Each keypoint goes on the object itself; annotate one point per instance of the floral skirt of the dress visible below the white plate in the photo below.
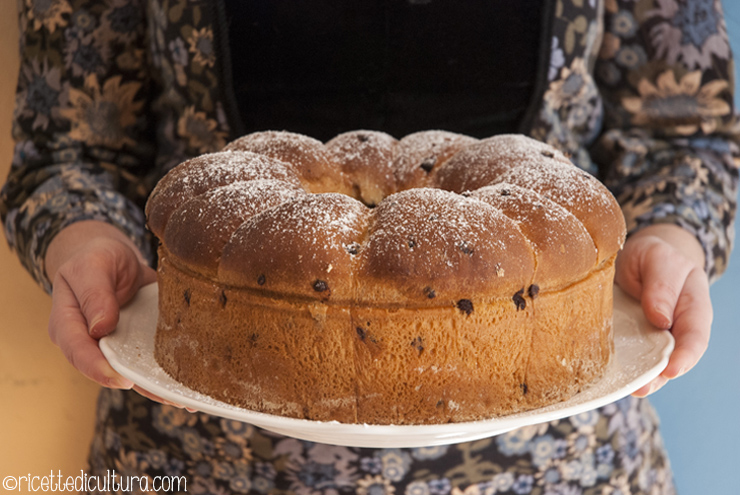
(616, 450)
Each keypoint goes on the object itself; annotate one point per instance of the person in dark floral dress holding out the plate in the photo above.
(112, 94)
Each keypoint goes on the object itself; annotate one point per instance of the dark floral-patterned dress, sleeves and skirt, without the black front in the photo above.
(113, 93)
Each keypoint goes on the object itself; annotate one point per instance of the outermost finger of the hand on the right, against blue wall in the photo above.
(693, 324)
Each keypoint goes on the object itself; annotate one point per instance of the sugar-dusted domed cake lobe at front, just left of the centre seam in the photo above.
(301, 248)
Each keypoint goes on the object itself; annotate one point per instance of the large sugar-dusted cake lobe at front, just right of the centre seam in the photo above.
(425, 242)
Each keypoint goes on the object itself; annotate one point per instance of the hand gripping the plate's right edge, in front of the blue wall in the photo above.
(662, 266)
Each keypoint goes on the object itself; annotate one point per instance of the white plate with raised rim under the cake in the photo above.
(642, 352)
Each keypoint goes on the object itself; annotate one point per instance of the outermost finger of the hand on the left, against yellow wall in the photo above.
(68, 330)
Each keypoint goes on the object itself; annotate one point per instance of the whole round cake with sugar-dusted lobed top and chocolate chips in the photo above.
(436, 278)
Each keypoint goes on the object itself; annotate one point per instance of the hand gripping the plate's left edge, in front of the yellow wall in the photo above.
(96, 269)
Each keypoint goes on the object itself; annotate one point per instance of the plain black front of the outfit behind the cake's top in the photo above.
(325, 67)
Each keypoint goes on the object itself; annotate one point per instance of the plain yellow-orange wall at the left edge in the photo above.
(46, 407)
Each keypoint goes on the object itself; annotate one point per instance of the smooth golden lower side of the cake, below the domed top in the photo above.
(383, 365)
